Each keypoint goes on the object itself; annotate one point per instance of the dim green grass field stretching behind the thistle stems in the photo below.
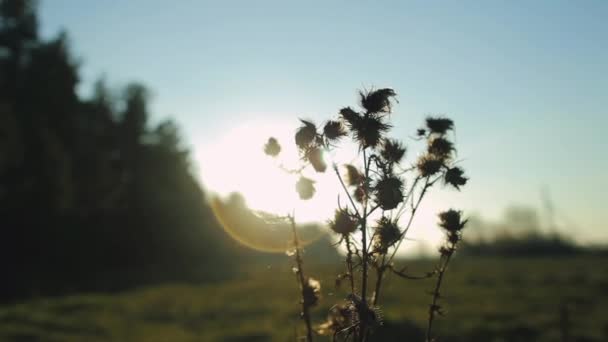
(486, 300)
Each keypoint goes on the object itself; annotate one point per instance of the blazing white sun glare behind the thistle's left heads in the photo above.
(237, 163)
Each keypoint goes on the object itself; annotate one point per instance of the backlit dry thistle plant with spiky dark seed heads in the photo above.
(383, 194)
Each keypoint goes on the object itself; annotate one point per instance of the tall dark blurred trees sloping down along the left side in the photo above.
(91, 196)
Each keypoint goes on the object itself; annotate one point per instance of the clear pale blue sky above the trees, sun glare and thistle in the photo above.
(526, 82)
